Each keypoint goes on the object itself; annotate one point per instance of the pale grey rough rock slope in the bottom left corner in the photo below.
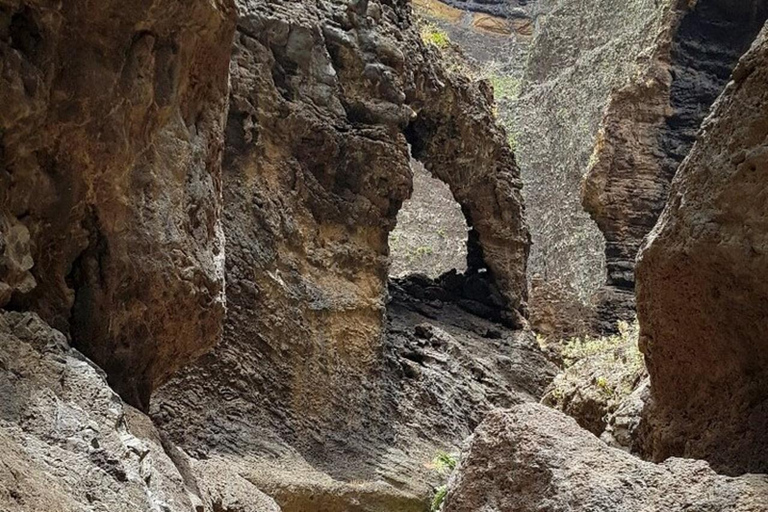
(70, 444)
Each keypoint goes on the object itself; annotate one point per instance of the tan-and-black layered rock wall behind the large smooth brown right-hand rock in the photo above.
(650, 125)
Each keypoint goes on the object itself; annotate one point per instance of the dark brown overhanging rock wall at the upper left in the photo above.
(110, 141)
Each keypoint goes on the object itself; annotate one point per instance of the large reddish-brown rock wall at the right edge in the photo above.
(702, 297)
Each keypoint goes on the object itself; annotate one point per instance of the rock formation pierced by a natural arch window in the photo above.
(310, 374)
